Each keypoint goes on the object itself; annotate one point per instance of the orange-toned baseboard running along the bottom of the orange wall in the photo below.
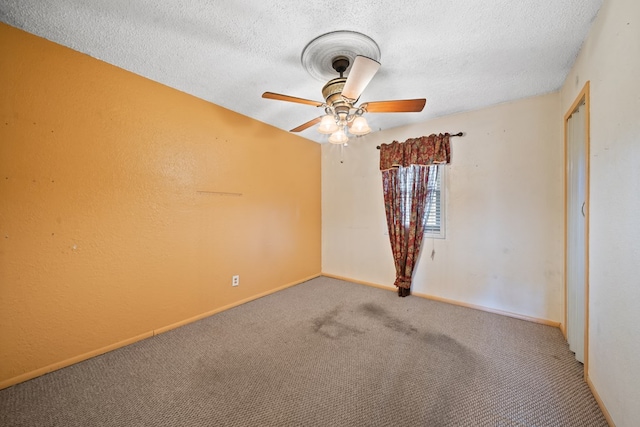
(73, 360)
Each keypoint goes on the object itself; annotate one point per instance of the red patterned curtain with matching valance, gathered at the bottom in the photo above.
(405, 174)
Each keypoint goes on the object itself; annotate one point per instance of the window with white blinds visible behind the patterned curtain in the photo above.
(434, 212)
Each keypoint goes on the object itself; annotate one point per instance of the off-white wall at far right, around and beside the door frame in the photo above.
(610, 61)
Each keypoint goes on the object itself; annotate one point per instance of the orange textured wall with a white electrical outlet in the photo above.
(106, 230)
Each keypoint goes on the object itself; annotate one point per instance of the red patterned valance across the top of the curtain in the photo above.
(426, 150)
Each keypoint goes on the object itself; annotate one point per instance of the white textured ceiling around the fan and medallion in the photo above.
(459, 54)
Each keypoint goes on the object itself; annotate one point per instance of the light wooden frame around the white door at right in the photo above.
(583, 96)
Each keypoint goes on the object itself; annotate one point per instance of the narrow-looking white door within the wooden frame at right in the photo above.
(576, 231)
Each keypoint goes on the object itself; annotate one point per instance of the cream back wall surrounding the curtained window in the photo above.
(503, 248)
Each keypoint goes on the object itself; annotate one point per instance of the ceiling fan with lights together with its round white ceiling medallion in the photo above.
(359, 55)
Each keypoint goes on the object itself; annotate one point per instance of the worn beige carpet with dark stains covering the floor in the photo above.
(323, 353)
